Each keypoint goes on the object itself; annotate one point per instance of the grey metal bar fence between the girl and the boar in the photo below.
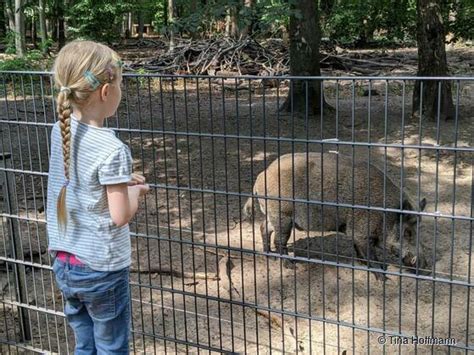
(202, 277)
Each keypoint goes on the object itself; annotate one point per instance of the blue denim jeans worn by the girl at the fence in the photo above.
(97, 307)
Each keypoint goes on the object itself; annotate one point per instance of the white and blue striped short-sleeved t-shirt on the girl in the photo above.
(97, 158)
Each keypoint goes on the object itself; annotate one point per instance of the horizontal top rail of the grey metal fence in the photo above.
(253, 77)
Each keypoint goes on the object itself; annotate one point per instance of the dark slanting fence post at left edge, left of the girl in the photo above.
(15, 248)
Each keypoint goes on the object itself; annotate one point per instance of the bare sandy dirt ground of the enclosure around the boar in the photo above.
(199, 143)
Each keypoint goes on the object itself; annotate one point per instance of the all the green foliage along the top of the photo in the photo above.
(347, 22)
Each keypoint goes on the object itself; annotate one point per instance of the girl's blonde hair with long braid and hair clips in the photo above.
(80, 68)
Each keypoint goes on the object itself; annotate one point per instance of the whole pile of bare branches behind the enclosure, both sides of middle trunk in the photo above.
(228, 56)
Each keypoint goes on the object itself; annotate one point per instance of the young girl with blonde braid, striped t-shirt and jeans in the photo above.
(92, 195)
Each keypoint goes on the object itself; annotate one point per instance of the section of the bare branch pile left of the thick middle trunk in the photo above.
(219, 56)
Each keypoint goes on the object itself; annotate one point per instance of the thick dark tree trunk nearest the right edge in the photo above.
(432, 61)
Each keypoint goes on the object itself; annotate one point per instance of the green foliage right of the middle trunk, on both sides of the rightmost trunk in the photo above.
(389, 21)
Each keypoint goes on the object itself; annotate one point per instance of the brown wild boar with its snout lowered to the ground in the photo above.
(333, 178)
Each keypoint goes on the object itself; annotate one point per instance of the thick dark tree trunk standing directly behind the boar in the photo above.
(305, 37)
